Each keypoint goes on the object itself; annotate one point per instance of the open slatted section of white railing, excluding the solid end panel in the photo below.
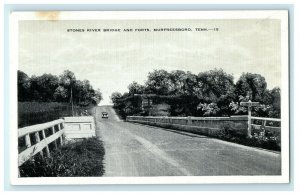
(41, 138)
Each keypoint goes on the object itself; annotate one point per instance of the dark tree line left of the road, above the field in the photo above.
(62, 88)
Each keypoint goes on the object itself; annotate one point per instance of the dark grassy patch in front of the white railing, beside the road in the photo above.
(75, 159)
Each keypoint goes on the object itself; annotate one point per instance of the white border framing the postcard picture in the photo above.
(15, 17)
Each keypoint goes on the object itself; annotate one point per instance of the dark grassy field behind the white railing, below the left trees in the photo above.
(31, 113)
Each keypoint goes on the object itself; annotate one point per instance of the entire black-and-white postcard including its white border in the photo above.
(129, 97)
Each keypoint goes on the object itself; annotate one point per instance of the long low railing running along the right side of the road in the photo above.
(212, 125)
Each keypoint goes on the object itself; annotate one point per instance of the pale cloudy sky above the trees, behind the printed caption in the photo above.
(113, 60)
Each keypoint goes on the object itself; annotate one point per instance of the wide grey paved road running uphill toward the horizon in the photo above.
(139, 150)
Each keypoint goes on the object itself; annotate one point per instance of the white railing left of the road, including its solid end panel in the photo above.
(43, 138)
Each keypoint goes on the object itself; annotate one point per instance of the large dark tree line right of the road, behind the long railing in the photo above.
(210, 93)
